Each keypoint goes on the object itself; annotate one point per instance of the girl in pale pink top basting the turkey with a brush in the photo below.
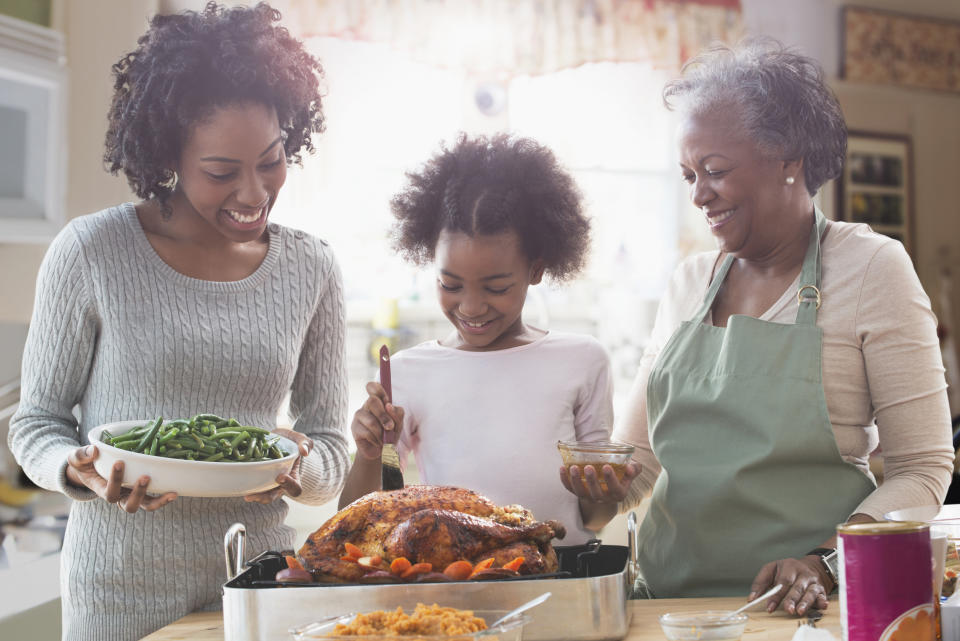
(483, 407)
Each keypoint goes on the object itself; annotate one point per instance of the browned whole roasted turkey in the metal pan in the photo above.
(429, 524)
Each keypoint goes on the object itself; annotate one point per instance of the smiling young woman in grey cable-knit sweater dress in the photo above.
(187, 301)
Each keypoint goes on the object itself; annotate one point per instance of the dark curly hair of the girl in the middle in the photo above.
(490, 185)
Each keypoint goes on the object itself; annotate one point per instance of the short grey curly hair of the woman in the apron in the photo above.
(784, 104)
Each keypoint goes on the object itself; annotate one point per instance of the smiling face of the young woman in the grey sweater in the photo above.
(231, 169)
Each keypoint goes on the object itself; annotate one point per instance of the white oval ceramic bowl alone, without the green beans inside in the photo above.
(189, 478)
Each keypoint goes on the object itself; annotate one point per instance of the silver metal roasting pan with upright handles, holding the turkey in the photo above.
(589, 601)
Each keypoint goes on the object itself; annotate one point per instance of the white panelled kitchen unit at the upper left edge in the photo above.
(32, 88)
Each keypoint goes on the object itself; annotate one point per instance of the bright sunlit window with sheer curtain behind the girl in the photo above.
(389, 104)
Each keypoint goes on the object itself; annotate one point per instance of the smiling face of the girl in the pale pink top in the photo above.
(482, 284)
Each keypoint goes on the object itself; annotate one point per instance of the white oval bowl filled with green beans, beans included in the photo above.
(205, 455)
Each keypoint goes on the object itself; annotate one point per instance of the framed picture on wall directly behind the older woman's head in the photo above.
(876, 187)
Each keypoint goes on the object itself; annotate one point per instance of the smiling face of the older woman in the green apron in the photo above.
(739, 190)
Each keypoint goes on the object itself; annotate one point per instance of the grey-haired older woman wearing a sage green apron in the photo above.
(781, 360)
